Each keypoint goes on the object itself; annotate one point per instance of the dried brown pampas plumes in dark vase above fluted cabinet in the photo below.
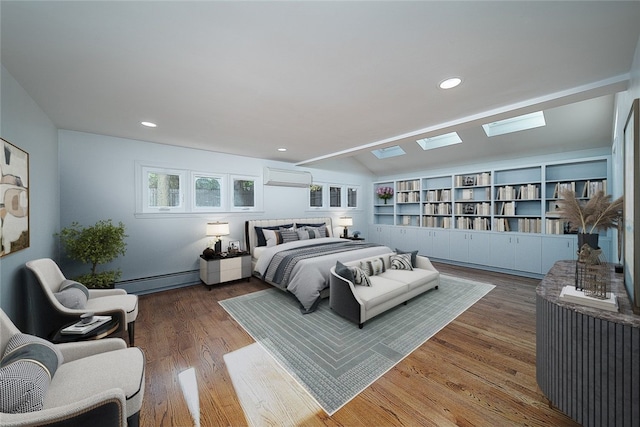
(599, 213)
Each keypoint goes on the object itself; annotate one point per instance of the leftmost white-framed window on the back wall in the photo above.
(163, 190)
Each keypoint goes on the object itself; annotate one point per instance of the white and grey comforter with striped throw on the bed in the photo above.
(302, 267)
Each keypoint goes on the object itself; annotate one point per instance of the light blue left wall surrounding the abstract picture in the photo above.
(25, 125)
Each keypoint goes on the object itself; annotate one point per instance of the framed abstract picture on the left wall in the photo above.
(14, 199)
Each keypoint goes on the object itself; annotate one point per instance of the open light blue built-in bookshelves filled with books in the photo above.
(523, 199)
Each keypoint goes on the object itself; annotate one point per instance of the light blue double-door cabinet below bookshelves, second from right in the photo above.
(516, 252)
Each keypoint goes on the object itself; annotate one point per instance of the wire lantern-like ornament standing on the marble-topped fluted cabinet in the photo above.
(592, 273)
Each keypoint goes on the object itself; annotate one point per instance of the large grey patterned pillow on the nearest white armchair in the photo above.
(26, 369)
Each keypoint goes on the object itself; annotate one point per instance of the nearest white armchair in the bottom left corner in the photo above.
(97, 383)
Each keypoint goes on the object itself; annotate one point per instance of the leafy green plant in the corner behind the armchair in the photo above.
(97, 244)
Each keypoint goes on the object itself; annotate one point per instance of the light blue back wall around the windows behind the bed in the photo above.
(97, 182)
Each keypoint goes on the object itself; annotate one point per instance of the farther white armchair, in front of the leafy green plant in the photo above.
(100, 301)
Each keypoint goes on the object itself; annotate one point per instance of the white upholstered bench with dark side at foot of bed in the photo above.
(360, 303)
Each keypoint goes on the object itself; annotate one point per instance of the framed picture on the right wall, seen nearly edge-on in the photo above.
(631, 198)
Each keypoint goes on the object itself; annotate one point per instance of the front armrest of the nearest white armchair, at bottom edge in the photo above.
(104, 409)
